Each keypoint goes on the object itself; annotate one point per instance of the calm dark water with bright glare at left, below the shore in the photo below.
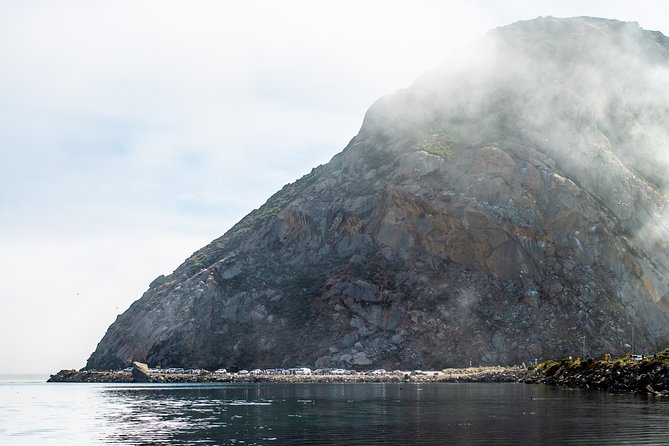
(35, 413)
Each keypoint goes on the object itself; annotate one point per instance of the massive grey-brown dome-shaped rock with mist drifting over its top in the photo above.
(505, 207)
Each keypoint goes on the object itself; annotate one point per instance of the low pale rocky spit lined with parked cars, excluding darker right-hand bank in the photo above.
(462, 375)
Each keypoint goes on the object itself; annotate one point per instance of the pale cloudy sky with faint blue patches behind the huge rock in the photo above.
(132, 133)
